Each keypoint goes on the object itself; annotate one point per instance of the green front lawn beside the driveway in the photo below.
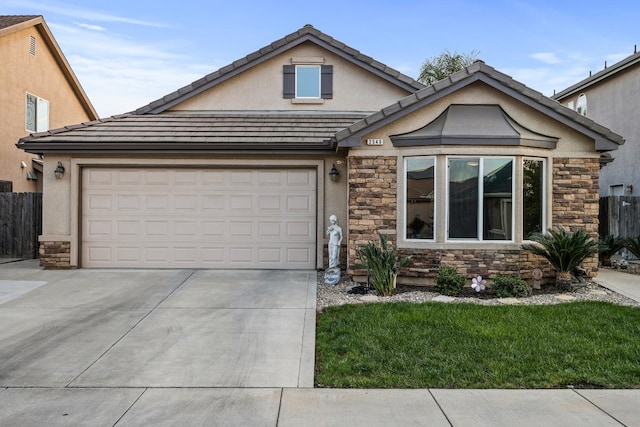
(437, 345)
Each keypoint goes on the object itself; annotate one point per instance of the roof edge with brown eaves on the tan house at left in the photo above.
(12, 23)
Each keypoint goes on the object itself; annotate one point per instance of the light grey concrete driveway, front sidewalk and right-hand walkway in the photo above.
(187, 347)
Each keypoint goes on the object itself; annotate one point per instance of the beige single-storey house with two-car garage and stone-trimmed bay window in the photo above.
(238, 169)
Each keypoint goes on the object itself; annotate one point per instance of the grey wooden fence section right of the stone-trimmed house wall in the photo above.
(620, 216)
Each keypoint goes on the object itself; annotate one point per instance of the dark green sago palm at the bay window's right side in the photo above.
(565, 251)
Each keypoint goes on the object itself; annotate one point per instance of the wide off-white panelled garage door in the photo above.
(198, 218)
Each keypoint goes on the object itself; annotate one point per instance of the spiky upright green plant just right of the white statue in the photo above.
(382, 264)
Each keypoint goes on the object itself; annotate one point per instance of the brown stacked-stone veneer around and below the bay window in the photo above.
(373, 204)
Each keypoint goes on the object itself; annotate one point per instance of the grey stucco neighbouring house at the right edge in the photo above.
(610, 97)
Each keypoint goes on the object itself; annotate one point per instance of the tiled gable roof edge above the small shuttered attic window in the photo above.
(305, 34)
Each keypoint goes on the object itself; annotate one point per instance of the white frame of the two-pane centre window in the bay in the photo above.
(479, 230)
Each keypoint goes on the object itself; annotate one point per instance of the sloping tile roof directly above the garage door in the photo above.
(206, 131)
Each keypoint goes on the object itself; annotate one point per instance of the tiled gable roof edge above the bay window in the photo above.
(604, 138)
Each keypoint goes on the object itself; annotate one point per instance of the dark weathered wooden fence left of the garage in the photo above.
(20, 224)
